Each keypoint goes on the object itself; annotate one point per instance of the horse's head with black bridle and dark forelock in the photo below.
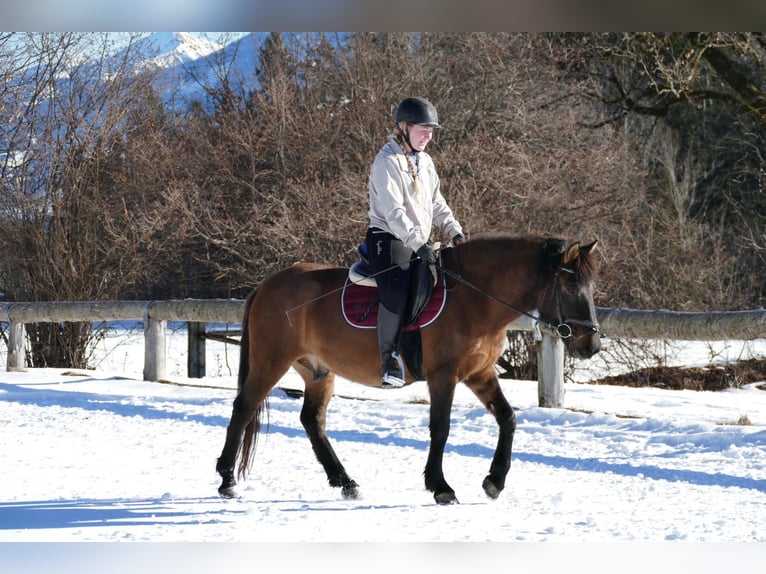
(568, 305)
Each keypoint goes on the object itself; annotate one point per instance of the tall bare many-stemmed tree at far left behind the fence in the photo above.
(73, 98)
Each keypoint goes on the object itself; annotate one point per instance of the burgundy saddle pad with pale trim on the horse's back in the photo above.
(360, 305)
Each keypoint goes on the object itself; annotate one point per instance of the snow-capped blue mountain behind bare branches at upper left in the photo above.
(190, 66)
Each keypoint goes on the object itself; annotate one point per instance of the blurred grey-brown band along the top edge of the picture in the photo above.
(379, 15)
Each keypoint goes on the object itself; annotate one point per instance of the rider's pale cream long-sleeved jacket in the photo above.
(395, 209)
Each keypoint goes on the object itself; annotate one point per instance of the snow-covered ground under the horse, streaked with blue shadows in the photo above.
(620, 476)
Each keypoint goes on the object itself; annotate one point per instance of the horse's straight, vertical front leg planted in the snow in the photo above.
(442, 392)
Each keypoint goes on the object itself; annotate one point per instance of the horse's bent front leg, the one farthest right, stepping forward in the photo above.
(487, 389)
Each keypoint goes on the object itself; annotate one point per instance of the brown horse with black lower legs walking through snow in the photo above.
(294, 319)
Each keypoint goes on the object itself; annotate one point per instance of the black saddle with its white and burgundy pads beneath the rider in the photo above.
(359, 299)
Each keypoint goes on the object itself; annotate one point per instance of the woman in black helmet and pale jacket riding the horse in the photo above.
(405, 203)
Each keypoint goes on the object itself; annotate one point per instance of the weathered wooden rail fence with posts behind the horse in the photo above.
(615, 323)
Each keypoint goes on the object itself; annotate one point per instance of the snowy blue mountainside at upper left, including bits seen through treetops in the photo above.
(191, 67)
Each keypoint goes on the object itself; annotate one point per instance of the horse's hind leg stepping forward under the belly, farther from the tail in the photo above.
(319, 385)
